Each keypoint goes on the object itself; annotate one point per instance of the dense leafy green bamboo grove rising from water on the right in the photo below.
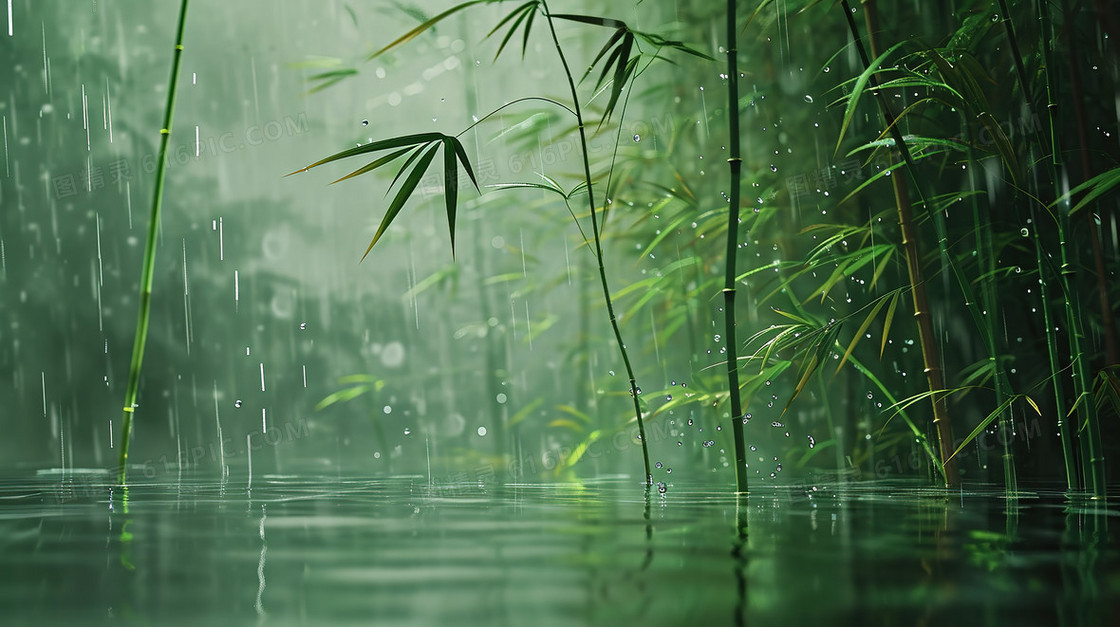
(886, 254)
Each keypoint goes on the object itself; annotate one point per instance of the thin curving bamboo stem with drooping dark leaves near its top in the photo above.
(599, 247)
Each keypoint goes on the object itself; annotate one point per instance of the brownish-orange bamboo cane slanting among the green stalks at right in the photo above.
(931, 355)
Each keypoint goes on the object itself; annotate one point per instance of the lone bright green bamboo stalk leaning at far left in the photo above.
(150, 254)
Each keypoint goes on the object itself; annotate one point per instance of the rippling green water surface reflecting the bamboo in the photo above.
(328, 550)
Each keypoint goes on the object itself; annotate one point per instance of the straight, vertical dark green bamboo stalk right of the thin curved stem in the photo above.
(733, 239)
